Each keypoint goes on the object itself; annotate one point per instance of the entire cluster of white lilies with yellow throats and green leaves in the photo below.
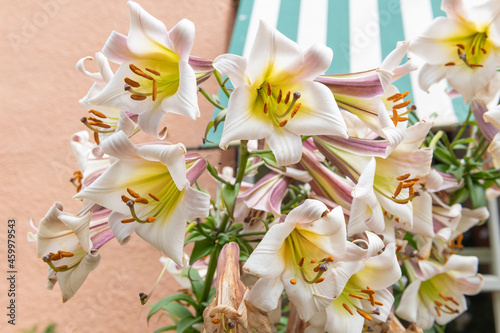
(338, 187)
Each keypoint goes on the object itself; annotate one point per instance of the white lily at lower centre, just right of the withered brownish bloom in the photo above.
(296, 255)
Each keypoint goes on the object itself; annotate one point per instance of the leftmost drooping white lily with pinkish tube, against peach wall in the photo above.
(68, 244)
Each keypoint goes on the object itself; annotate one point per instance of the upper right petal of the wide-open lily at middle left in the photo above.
(170, 155)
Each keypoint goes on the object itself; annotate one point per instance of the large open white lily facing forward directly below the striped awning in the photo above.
(275, 96)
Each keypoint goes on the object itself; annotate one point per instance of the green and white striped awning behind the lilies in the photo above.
(361, 34)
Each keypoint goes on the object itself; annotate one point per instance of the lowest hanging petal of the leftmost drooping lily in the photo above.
(73, 279)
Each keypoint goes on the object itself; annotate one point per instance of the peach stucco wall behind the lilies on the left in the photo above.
(40, 89)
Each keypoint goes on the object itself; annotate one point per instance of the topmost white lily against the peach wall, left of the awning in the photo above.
(154, 75)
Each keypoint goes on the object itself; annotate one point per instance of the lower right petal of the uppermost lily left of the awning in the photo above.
(185, 100)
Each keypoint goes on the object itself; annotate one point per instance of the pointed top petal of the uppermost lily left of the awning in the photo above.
(147, 36)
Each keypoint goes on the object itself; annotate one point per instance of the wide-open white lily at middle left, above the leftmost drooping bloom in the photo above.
(162, 200)
